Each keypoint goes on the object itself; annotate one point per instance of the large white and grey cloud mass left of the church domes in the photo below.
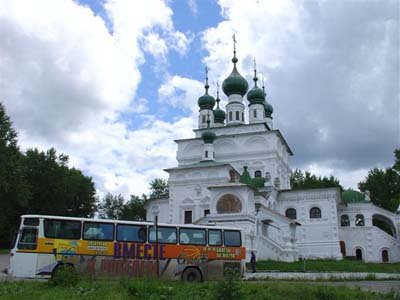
(66, 77)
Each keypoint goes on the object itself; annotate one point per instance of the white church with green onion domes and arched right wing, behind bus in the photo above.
(237, 174)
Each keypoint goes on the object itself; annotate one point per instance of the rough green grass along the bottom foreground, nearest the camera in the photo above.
(151, 289)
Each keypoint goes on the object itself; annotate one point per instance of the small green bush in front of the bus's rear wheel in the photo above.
(228, 288)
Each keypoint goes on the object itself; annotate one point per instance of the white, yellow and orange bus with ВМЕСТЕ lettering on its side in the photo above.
(46, 244)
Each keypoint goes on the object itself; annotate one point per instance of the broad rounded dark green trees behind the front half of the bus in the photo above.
(56, 188)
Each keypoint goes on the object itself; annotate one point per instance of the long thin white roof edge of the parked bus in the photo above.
(128, 222)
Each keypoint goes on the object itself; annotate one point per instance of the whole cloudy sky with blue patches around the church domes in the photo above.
(111, 83)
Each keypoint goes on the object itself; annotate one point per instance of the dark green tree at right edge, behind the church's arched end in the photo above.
(384, 185)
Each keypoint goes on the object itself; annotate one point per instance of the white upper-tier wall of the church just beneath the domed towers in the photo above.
(261, 150)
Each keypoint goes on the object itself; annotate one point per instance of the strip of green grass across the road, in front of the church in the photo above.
(344, 265)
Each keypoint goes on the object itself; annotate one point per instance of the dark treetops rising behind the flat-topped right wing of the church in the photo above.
(306, 180)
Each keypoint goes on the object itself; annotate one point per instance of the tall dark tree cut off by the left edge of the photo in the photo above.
(14, 189)
